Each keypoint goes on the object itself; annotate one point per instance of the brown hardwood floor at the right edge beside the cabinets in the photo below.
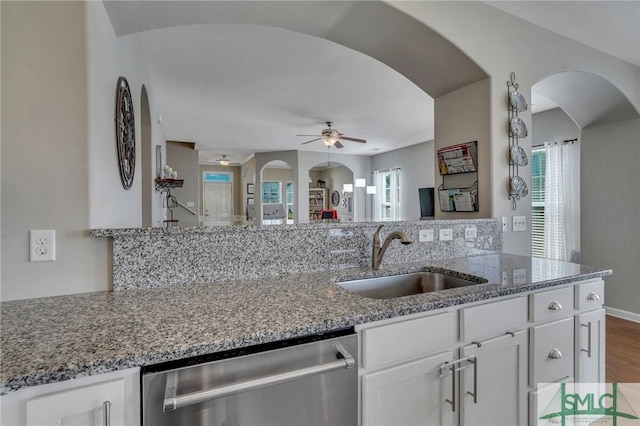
(622, 351)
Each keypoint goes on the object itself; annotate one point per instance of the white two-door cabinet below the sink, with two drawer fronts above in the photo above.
(419, 372)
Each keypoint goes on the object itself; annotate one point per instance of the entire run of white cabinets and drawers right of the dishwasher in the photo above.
(481, 363)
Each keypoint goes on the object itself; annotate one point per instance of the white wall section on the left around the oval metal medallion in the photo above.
(108, 59)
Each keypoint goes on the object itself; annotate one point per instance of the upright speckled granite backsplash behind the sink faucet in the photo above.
(160, 257)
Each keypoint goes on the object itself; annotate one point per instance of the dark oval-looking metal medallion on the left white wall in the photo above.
(125, 133)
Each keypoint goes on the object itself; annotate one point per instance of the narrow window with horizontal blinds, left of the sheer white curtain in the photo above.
(538, 172)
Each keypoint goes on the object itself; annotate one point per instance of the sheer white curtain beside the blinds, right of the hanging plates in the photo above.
(560, 210)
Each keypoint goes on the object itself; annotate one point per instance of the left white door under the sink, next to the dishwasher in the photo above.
(409, 394)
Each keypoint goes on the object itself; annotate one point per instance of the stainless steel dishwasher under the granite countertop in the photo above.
(311, 380)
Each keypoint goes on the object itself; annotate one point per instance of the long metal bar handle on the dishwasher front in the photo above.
(173, 401)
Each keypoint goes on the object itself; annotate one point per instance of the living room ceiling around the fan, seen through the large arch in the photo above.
(234, 89)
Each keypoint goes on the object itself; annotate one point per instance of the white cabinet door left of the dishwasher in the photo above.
(85, 406)
